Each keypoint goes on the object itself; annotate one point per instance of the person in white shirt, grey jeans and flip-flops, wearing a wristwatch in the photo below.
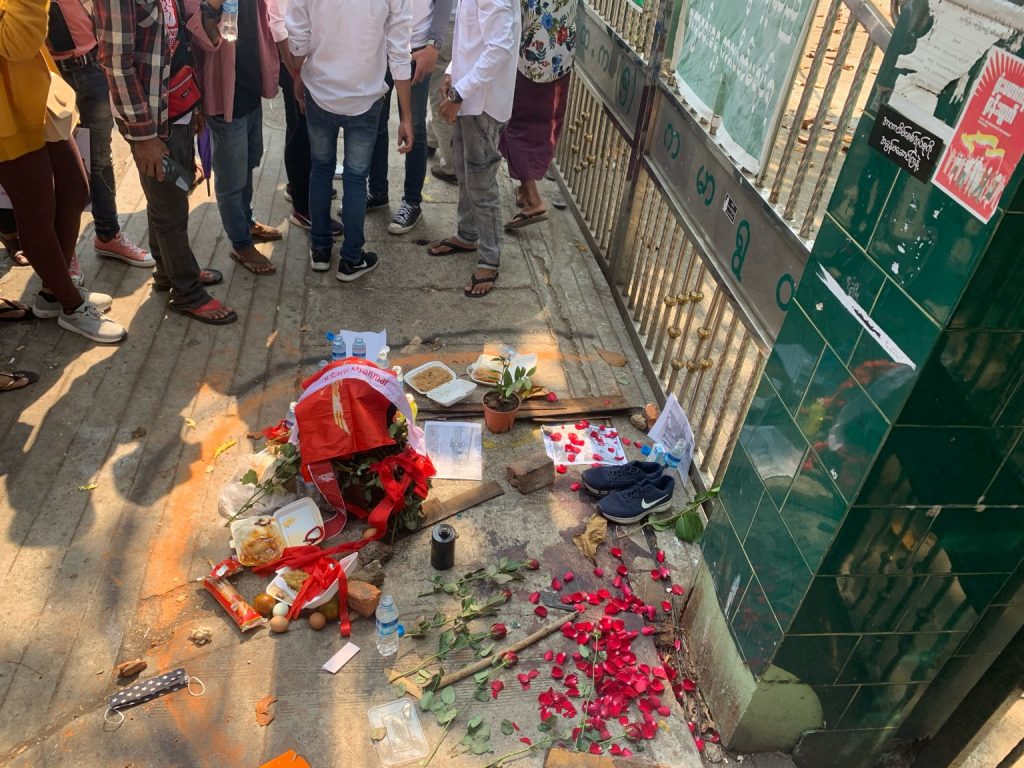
(479, 92)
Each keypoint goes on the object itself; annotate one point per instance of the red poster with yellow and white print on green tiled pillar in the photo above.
(989, 141)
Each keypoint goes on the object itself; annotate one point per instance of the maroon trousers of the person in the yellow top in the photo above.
(50, 191)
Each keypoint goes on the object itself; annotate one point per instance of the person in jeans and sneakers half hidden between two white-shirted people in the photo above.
(431, 20)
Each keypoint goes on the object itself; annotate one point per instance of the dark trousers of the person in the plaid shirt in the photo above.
(167, 211)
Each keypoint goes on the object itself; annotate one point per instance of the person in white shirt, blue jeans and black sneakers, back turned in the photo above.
(342, 51)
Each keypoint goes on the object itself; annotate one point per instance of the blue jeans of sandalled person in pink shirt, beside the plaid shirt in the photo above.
(238, 149)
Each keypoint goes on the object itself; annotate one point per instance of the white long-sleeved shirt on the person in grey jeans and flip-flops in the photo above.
(485, 56)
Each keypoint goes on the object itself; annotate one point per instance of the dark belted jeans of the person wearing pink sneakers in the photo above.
(94, 101)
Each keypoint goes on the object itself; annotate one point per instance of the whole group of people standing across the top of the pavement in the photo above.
(167, 70)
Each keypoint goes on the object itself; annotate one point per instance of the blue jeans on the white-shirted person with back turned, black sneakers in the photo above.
(361, 135)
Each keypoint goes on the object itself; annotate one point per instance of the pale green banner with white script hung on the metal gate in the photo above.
(737, 61)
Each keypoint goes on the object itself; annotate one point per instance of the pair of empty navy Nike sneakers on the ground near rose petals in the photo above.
(631, 492)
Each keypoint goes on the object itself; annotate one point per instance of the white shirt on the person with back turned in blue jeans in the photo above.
(349, 46)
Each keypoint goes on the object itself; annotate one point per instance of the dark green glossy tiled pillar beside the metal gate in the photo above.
(870, 537)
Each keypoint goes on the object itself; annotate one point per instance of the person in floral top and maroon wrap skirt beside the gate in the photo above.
(546, 54)
